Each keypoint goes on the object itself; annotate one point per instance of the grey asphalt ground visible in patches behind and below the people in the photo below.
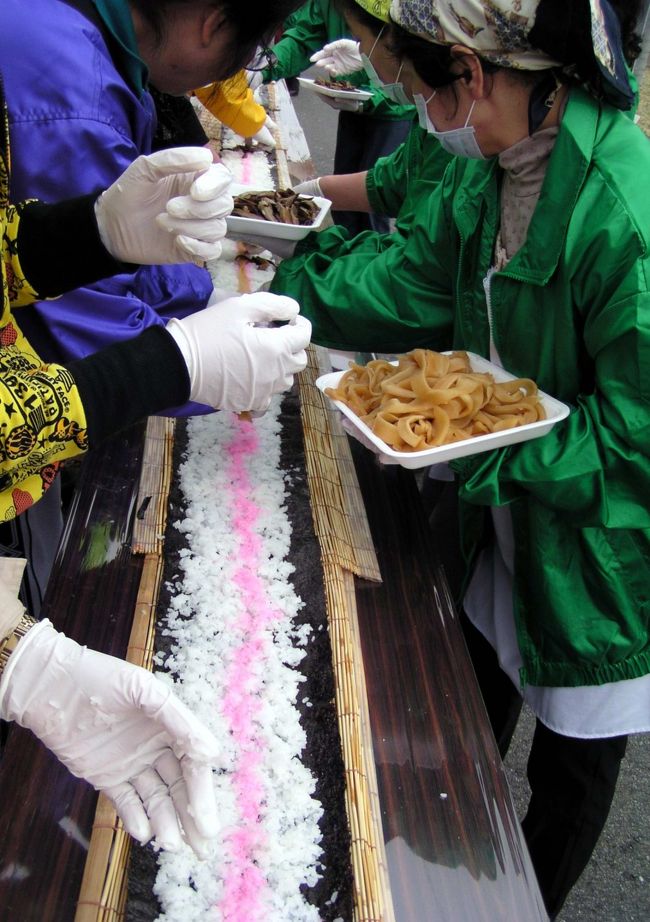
(615, 887)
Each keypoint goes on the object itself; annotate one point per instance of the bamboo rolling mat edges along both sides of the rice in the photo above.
(347, 550)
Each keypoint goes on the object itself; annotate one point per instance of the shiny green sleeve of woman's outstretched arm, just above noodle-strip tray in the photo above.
(375, 293)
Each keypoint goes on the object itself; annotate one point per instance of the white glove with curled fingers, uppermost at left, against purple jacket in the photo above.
(167, 207)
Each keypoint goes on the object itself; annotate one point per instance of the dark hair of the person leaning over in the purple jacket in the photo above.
(253, 24)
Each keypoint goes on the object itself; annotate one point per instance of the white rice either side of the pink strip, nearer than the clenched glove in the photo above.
(204, 622)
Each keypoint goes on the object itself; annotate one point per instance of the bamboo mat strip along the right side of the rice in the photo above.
(346, 545)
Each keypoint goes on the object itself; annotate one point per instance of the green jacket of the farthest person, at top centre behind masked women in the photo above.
(313, 25)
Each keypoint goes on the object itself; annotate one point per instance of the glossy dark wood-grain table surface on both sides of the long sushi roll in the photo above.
(454, 846)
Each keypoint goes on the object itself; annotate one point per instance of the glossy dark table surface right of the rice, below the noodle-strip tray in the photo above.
(454, 847)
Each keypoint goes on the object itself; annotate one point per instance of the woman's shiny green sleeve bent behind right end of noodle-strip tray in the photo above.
(593, 466)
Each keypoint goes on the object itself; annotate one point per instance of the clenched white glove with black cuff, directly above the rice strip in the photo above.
(235, 359)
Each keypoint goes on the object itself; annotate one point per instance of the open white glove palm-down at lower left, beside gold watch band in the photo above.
(122, 730)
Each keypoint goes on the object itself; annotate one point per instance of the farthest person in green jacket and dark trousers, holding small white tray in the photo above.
(363, 136)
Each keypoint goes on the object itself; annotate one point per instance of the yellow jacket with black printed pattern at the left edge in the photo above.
(42, 421)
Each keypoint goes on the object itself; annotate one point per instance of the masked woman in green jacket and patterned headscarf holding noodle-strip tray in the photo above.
(534, 252)
